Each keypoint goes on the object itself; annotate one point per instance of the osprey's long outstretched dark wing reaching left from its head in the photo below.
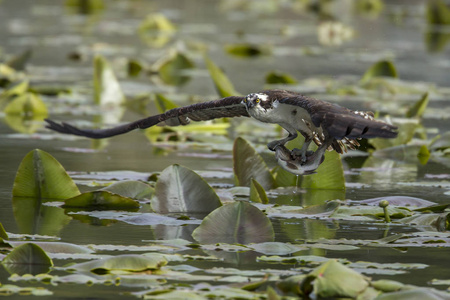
(225, 107)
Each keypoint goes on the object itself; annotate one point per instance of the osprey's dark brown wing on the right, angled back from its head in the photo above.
(339, 122)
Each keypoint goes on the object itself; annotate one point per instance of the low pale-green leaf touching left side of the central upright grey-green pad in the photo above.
(131, 189)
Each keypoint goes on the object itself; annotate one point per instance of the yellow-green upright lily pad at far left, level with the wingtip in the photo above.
(28, 104)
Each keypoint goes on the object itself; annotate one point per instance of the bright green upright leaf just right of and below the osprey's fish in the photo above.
(330, 174)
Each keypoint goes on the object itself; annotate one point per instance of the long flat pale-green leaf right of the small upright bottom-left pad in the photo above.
(122, 263)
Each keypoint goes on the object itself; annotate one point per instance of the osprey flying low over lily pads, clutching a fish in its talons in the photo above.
(329, 126)
